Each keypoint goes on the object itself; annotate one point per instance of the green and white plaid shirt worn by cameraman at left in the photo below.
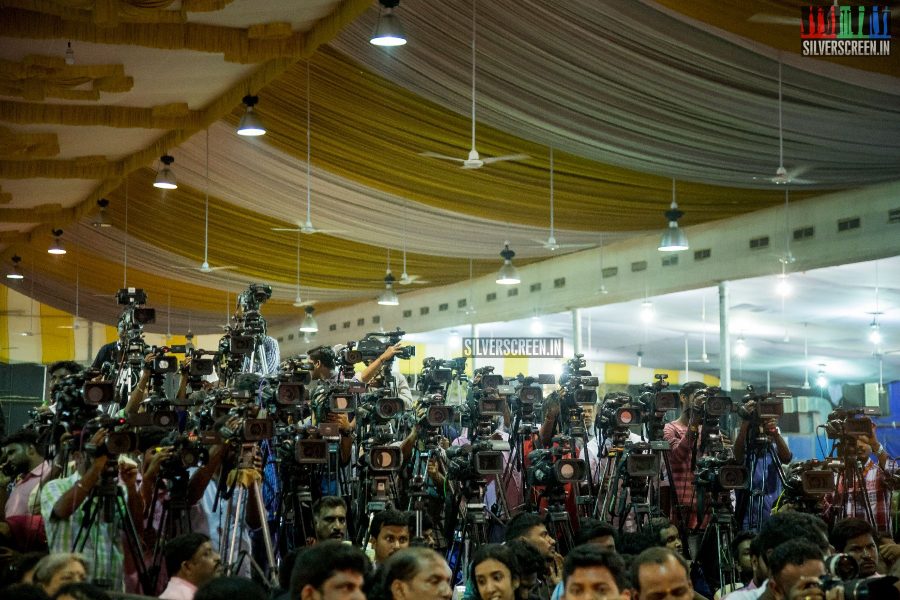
(103, 548)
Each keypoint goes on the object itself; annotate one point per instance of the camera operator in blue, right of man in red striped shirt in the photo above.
(764, 475)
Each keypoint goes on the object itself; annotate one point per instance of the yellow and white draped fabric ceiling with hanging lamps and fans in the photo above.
(629, 94)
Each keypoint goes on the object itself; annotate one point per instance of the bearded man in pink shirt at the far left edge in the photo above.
(24, 466)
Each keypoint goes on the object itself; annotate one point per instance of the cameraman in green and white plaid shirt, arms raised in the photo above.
(63, 508)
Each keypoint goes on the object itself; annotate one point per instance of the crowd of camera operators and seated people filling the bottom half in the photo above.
(92, 520)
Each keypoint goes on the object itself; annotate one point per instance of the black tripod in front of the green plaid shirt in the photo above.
(105, 515)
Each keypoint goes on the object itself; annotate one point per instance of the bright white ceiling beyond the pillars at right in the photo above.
(831, 308)
